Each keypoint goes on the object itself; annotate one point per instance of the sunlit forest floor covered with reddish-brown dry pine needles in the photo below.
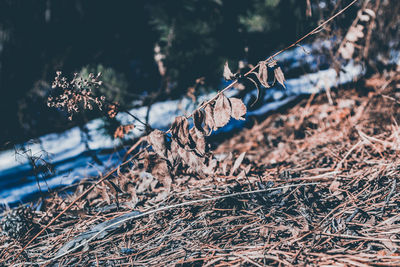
(327, 182)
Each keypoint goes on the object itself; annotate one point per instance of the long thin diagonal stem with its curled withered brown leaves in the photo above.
(181, 144)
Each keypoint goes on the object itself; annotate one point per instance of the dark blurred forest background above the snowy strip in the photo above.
(118, 38)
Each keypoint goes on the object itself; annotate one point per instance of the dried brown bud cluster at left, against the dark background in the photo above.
(76, 95)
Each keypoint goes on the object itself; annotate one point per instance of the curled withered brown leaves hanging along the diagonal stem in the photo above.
(189, 146)
